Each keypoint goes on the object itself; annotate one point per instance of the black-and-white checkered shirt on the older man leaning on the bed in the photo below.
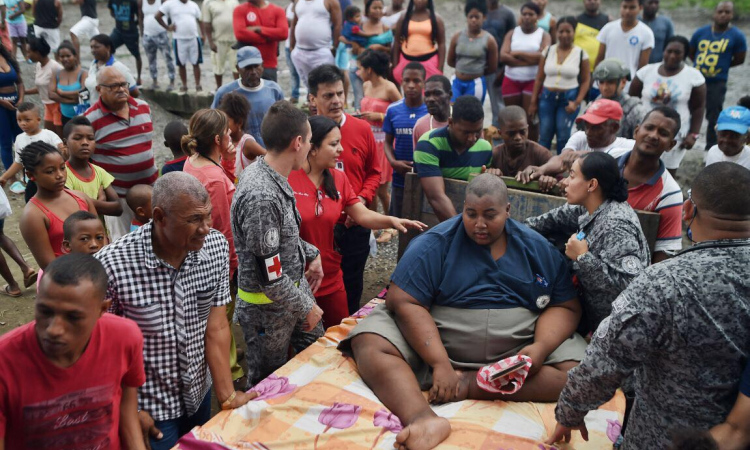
(171, 307)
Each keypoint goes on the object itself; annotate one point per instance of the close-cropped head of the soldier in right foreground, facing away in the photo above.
(721, 190)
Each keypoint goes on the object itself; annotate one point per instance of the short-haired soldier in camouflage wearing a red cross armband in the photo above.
(278, 309)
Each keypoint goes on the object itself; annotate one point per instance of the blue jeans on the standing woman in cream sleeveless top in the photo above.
(553, 119)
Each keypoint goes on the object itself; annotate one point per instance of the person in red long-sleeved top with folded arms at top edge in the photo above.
(262, 25)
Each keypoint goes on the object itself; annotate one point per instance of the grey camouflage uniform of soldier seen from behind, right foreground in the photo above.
(682, 328)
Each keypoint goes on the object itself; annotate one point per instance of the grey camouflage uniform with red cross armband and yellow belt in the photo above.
(275, 295)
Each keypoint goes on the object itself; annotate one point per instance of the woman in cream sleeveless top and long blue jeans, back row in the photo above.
(562, 82)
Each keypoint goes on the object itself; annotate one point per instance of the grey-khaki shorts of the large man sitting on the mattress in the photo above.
(473, 338)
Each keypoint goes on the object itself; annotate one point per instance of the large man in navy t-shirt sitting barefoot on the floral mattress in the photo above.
(475, 289)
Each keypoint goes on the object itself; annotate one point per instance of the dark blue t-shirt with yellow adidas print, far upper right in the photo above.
(713, 52)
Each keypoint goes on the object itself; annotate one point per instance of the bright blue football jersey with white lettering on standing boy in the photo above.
(399, 122)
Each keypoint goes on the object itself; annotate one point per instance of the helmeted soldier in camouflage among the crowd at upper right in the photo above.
(612, 76)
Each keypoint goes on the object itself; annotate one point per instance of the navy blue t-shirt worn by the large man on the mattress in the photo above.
(444, 267)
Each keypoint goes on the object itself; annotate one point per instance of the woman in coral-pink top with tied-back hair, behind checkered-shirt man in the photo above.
(211, 161)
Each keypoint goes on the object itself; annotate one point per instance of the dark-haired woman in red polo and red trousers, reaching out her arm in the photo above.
(323, 194)
